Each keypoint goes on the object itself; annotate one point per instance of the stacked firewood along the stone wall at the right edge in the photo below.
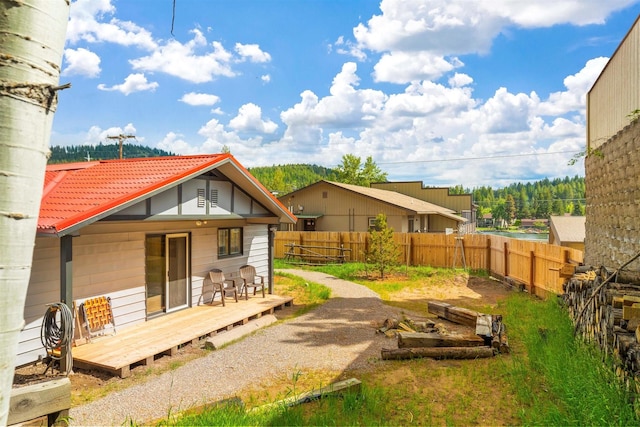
(608, 314)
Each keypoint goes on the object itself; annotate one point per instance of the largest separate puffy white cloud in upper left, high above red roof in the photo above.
(183, 61)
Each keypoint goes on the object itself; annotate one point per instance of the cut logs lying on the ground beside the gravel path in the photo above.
(485, 337)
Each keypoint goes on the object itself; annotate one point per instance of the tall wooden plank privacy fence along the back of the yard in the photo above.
(534, 264)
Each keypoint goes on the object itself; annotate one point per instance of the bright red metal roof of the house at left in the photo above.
(77, 192)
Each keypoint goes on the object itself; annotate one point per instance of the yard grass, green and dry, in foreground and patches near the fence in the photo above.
(550, 378)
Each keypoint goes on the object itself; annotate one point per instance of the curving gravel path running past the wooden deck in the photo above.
(339, 335)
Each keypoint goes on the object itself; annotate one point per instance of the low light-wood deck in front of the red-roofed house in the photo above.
(141, 344)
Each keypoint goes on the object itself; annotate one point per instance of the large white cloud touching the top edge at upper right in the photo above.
(422, 39)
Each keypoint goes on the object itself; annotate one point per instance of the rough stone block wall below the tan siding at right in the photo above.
(613, 203)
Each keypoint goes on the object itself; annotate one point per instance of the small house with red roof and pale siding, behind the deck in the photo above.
(144, 233)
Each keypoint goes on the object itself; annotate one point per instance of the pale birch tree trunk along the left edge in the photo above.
(32, 34)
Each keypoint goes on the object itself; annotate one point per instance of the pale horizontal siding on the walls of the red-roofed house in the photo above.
(109, 260)
